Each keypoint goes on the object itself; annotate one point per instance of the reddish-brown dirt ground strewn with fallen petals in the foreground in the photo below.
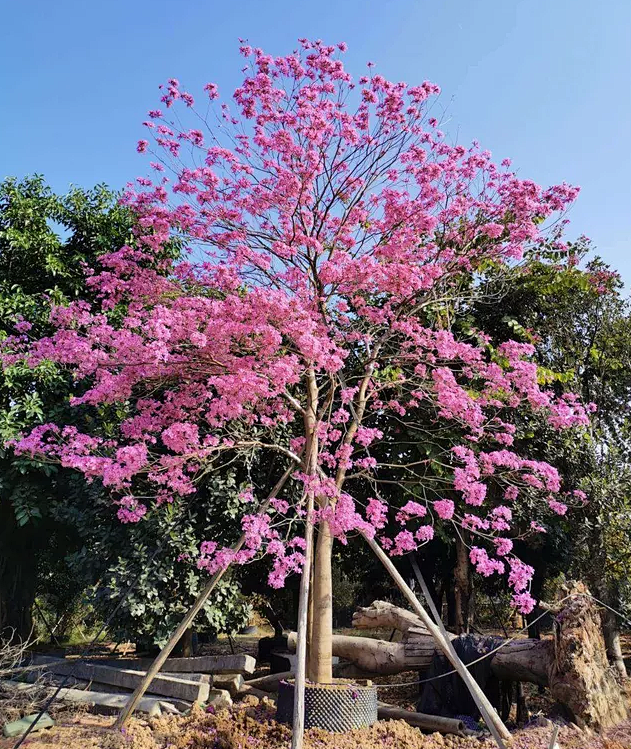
(251, 725)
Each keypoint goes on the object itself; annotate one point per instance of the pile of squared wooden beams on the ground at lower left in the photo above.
(107, 684)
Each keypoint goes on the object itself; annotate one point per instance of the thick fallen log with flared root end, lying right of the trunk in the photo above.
(573, 665)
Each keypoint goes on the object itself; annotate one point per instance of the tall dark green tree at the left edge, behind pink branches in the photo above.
(45, 240)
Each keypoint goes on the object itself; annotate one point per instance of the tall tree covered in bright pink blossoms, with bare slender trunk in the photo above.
(331, 233)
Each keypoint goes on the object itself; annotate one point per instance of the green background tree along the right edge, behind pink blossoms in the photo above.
(572, 309)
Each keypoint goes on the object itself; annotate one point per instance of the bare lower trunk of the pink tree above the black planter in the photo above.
(321, 656)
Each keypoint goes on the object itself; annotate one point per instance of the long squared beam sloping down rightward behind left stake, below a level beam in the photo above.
(193, 690)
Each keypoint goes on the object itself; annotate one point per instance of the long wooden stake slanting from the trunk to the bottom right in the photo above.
(488, 712)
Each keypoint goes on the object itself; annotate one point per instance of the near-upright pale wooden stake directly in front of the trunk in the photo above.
(298, 727)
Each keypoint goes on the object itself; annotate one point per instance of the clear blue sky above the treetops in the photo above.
(545, 82)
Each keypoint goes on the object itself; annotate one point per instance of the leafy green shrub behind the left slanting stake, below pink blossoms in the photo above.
(149, 567)
